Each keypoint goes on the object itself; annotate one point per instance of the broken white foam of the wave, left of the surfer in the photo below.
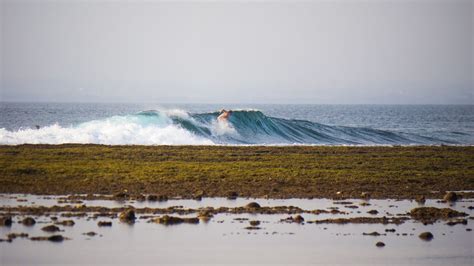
(112, 131)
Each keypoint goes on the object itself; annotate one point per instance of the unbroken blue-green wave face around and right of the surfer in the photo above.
(254, 127)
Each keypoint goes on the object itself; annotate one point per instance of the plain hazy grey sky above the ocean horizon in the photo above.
(342, 51)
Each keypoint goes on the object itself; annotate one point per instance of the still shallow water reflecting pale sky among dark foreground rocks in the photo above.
(225, 241)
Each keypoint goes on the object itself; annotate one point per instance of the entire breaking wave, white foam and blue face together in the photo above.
(177, 127)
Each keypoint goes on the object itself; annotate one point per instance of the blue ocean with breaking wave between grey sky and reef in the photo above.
(249, 124)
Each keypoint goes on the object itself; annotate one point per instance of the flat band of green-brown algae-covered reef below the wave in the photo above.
(251, 171)
